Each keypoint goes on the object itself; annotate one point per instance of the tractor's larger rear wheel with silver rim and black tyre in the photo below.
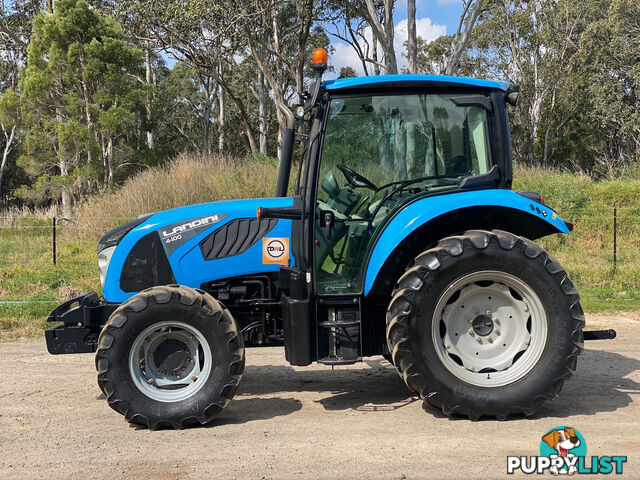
(486, 323)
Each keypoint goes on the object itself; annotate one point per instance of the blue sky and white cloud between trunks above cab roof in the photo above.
(433, 19)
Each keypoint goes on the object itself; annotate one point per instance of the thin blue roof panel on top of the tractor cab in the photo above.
(409, 81)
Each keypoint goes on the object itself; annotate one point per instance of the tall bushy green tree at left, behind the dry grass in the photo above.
(83, 94)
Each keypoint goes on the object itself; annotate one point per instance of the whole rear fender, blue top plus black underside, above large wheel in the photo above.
(422, 223)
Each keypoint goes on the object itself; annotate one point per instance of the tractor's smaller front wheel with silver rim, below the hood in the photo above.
(170, 356)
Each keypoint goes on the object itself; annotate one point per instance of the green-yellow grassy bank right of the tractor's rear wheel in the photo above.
(587, 253)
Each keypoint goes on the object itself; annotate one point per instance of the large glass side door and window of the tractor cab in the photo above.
(379, 152)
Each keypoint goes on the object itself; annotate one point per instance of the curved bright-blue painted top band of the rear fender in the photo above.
(418, 213)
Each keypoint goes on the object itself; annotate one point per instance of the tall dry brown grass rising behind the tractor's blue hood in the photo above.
(185, 180)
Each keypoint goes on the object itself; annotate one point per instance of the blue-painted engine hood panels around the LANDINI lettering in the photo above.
(188, 265)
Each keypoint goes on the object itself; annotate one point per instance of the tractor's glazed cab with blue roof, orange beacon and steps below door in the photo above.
(374, 145)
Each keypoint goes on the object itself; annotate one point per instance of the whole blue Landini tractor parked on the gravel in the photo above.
(402, 238)
